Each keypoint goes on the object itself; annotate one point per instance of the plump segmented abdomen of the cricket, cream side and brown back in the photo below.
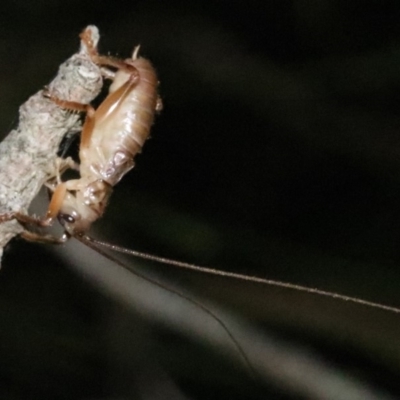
(120, 135)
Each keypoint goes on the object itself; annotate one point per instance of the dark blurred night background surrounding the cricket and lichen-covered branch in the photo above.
(277, 154)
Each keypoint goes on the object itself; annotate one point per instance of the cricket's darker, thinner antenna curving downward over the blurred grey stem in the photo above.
(95, 245)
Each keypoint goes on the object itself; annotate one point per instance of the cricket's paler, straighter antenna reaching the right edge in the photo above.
(255, 279)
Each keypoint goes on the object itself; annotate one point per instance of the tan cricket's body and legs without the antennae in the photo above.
(111, 137)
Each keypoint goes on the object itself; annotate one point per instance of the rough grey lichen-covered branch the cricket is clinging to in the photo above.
(28, 154)
